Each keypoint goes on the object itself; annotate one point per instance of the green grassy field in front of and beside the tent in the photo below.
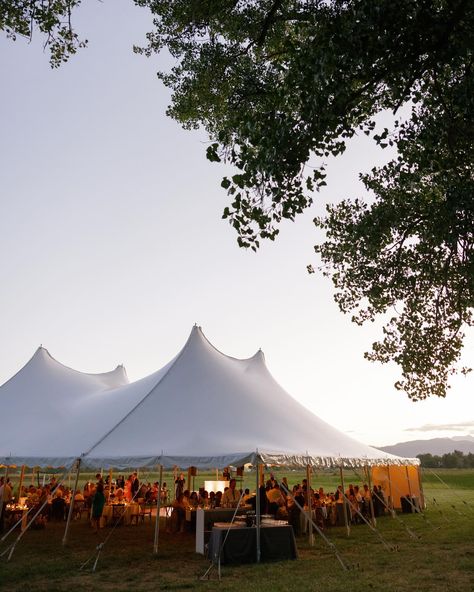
(440, 560)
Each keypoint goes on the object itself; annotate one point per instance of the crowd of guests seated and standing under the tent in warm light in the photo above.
(276, 498)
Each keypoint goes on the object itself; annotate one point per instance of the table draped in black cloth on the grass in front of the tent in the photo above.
(277, 543)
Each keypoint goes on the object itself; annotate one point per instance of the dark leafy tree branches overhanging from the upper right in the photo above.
(283, 84)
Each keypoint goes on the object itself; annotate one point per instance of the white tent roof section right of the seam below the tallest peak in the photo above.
(211, 410)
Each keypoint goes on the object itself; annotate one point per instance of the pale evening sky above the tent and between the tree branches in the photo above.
(112, 244)
